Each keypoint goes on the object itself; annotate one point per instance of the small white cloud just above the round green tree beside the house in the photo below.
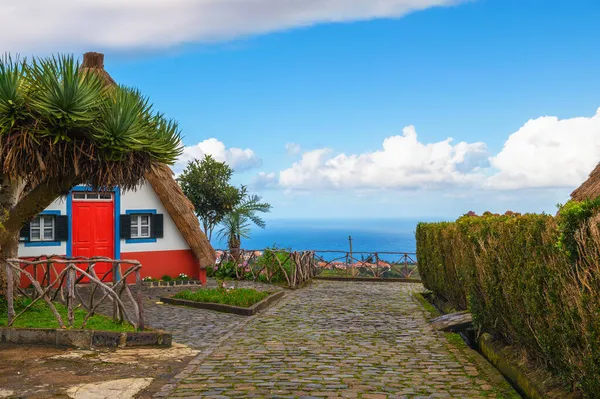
(239, 159)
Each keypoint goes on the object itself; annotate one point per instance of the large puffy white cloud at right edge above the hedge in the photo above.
(548, 153)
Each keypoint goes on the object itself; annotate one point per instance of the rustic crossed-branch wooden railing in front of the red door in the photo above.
(64, 286)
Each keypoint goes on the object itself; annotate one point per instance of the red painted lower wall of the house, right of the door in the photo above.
(158, 263)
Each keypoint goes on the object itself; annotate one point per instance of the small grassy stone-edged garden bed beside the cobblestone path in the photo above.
(241, 301)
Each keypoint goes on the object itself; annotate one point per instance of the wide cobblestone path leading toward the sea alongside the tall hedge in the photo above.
(340, 340)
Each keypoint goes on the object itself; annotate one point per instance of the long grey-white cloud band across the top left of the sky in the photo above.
(62, 25)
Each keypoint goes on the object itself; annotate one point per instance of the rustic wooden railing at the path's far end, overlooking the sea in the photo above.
(298, 267)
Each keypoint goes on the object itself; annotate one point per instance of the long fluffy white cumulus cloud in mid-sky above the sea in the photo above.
(403, 162)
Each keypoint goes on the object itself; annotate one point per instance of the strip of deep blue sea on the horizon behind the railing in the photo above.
(368, 235)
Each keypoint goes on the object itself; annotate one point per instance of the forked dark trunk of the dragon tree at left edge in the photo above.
(17, 209)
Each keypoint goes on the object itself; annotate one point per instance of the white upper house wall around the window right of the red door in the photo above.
(145, 198)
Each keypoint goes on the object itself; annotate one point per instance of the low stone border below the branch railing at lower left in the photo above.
(84, 339)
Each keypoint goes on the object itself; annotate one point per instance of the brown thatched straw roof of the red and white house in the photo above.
(167, 189)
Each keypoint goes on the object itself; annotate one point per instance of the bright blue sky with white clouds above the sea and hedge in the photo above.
(476, 71)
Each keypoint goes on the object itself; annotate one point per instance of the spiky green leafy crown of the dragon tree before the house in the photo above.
(58, 119)
